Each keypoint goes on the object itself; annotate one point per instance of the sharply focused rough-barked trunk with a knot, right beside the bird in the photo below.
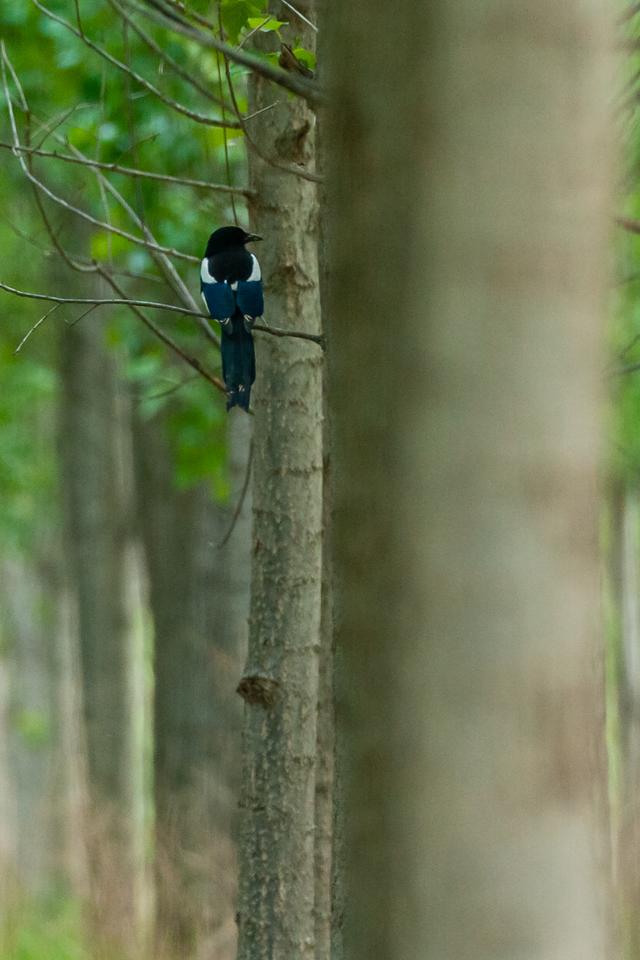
(280, 683)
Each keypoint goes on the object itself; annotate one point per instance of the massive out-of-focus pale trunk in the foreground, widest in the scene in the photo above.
(470, 173)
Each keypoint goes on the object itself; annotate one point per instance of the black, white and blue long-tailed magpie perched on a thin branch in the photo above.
(231, 287)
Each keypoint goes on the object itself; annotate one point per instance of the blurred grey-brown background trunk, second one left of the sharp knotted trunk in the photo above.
(95, 479)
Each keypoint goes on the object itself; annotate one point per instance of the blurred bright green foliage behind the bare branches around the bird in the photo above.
(79, 101)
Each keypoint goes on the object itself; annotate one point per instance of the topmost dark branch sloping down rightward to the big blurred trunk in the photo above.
(296, 84)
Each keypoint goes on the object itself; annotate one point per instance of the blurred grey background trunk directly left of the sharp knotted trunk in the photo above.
(195, 710)
